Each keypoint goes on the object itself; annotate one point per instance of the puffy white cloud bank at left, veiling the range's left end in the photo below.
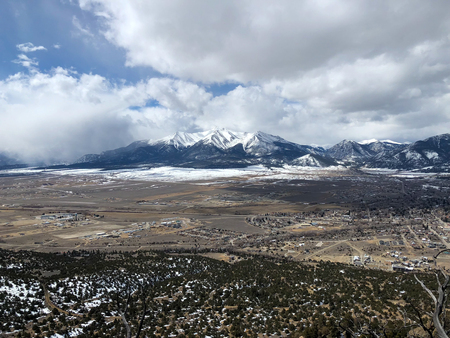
(61, 115)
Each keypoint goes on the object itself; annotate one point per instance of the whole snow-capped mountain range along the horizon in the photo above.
(222, 148)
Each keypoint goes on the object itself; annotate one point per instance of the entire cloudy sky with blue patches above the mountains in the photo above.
(84, 76)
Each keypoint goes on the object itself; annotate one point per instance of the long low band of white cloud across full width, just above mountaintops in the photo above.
(62, 115)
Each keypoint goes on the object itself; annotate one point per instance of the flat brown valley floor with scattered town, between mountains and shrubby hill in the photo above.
(383, 227)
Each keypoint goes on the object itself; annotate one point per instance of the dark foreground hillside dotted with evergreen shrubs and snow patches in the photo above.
(97, 294)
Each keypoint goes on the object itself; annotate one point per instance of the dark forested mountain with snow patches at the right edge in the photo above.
(432, 153)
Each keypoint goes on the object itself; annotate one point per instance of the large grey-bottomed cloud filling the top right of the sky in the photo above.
(259, 40)
